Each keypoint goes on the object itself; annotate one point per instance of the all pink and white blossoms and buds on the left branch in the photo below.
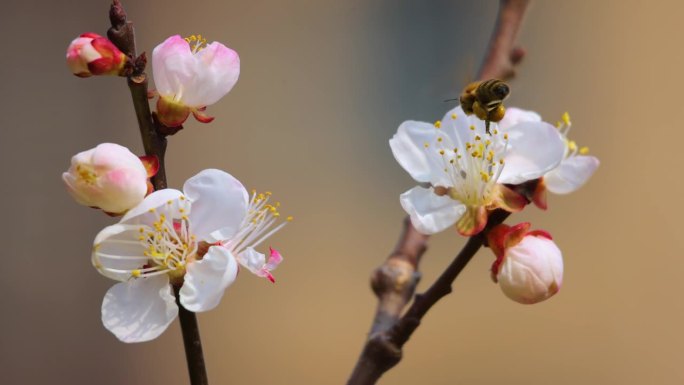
(170, 248)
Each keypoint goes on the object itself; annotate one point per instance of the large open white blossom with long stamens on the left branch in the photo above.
(192, 240)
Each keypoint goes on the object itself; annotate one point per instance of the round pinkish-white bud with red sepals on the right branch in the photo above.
(529, 265)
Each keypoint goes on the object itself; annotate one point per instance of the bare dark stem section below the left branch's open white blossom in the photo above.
(192, 343)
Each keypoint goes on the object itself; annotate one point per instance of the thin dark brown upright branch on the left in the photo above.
(122, 35)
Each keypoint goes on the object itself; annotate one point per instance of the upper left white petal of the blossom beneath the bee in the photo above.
(408, 148)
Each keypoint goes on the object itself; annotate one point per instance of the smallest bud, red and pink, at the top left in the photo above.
(91, 54)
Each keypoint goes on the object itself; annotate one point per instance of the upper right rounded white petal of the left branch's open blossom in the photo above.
(219, 204)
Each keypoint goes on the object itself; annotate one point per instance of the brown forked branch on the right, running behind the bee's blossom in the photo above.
(394, 282)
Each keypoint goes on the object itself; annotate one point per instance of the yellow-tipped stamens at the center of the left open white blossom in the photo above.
(168, 243)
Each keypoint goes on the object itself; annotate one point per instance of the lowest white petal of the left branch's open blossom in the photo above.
(139, 310)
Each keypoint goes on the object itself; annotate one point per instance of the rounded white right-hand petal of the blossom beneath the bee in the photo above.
(534, 148)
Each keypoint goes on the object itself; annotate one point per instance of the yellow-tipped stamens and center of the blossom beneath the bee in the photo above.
(472, 166)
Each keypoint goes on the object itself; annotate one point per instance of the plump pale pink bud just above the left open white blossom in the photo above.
(109, 177)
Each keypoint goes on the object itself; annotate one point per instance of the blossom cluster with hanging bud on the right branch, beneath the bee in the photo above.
(465, 172)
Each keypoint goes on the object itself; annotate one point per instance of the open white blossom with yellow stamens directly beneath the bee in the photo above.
(464, 171)
